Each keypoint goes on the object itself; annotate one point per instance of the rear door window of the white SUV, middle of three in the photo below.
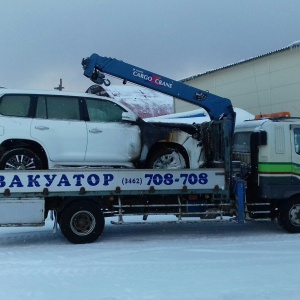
(58, 107)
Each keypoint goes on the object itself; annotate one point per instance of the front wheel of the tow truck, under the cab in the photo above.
(289, 216)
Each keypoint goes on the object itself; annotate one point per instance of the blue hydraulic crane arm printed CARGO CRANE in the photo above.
(217, 107)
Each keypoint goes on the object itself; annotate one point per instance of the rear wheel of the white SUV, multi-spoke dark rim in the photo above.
(20, 159)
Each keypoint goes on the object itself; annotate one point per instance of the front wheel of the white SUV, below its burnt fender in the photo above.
(167, 158)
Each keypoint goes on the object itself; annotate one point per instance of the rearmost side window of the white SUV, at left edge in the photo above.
(15, 105)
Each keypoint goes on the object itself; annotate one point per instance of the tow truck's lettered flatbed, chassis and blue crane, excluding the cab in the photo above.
(81, 198)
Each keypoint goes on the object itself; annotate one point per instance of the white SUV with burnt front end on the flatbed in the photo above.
(46, 130)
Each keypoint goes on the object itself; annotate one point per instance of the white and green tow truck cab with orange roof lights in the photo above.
(268, 151)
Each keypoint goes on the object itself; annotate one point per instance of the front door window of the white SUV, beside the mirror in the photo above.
(103, 111)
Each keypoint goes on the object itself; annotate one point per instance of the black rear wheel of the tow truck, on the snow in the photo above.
(82, 222)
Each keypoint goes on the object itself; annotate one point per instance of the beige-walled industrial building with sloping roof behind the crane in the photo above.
(265, 84)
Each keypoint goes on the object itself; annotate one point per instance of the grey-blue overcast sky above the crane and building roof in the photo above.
(45, 40)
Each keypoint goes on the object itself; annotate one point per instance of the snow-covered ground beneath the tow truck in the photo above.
(256, 260)
